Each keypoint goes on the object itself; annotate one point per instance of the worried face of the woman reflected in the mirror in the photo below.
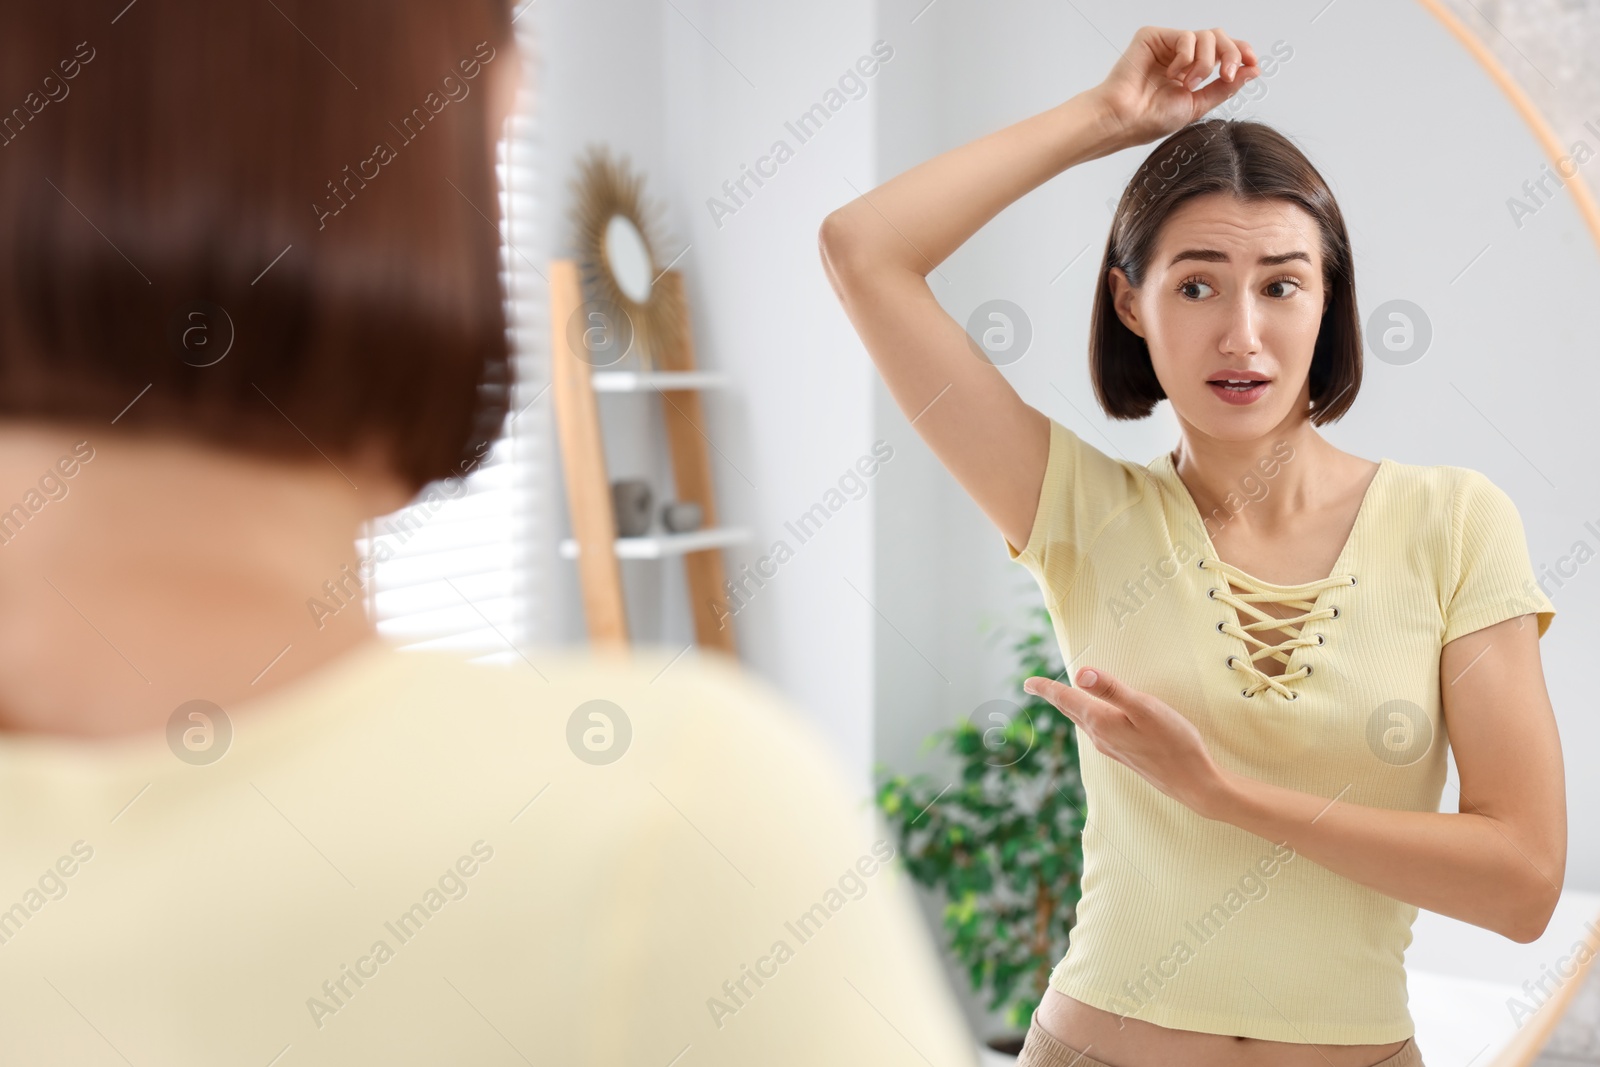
(1233, 290)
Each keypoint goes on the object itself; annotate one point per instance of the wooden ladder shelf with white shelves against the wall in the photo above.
(590, 487)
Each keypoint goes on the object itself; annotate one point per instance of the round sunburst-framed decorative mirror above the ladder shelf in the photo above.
(617, 254)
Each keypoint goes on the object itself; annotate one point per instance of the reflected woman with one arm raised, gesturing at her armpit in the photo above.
(1271, 684)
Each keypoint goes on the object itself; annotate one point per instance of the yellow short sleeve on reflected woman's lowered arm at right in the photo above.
(1492, 577)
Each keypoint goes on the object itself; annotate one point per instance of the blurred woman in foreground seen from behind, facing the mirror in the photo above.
(250, 298)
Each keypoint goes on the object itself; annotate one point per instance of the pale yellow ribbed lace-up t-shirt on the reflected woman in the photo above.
(1199, 925)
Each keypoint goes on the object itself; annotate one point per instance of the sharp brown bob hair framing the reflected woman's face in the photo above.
(1254, 164)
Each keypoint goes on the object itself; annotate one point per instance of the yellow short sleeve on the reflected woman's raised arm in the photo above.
(1084, 490)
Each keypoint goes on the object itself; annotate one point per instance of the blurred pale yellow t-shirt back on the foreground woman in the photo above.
(406, 858)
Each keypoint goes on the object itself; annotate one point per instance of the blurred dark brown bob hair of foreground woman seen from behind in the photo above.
(305, 185)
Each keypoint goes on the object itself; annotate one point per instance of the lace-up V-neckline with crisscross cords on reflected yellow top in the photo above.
(1305, 597)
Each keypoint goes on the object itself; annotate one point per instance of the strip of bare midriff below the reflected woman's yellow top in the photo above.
(1126, 1042)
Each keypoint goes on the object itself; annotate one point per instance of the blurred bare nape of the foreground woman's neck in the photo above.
(142, 573)
